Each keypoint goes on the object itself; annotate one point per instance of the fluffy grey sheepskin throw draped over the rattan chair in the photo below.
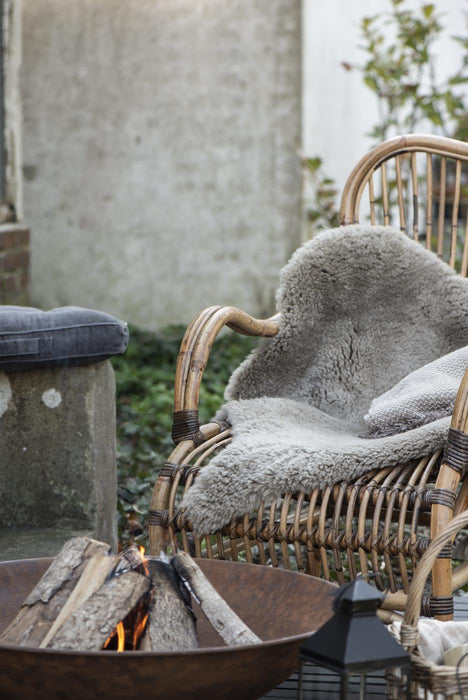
(361, 308)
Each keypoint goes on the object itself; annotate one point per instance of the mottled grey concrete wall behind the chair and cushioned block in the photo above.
(160, 153)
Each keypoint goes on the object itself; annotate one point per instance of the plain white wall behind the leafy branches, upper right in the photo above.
(338, 109)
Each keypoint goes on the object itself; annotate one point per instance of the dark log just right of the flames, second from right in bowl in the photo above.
(171, 624)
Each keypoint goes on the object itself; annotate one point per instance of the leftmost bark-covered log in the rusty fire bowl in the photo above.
(43, 605)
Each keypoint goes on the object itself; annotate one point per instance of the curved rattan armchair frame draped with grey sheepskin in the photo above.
(382, 522)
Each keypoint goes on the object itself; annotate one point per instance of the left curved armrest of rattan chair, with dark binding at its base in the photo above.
(193, 357)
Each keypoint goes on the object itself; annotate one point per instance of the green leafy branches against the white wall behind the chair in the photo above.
(401, 70)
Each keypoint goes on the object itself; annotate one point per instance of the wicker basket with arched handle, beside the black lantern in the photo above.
(441, 681)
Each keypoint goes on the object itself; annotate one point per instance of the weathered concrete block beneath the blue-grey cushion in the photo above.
(57, 458)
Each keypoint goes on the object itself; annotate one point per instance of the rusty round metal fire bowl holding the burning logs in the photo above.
(281, 607)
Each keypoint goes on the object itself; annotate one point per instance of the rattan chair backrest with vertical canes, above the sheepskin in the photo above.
(418, 183)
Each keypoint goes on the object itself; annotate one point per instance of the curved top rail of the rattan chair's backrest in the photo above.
(354, 186)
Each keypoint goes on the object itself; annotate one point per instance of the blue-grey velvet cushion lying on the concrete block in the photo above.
(60, 337)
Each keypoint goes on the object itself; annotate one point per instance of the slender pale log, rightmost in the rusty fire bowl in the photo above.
(223, 618)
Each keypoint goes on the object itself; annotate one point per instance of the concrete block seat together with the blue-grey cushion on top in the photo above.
(57, 426)
